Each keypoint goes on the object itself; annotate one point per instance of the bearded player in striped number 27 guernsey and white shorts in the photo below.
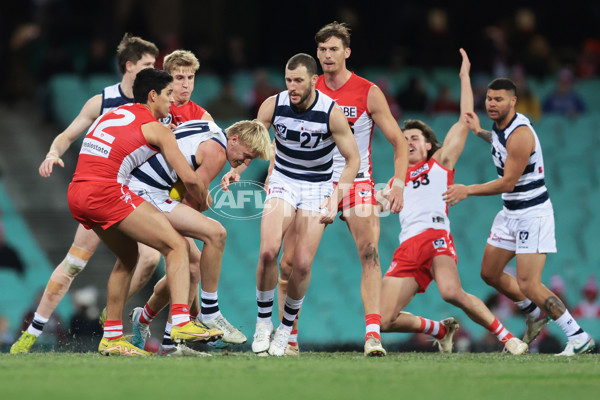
(308, 125)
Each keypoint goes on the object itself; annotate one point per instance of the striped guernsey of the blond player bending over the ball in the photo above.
(158, 174)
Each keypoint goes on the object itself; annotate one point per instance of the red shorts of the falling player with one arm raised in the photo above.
(414, 256)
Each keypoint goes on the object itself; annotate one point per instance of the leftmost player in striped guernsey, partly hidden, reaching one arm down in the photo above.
(133, 55)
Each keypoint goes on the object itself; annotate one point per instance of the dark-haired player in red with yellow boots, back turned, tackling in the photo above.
(99, 199)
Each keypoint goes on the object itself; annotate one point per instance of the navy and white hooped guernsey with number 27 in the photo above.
(303, 139)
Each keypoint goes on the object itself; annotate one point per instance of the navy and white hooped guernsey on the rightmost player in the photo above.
(530, 195)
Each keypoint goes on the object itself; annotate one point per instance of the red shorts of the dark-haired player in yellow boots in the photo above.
(100, 203)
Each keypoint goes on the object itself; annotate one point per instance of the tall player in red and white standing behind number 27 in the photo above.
(364, 106)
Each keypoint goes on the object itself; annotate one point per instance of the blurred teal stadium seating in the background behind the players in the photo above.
(332, 312)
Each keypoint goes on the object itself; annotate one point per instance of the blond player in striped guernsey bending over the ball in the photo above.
(206, 148)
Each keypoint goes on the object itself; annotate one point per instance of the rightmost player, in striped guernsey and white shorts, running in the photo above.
(525, 225)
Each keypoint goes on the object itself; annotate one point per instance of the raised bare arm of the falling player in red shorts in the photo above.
(454, 143)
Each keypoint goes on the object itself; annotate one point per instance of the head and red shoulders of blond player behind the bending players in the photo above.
(182, 66)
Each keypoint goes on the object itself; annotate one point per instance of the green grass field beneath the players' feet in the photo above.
(47, 376)
